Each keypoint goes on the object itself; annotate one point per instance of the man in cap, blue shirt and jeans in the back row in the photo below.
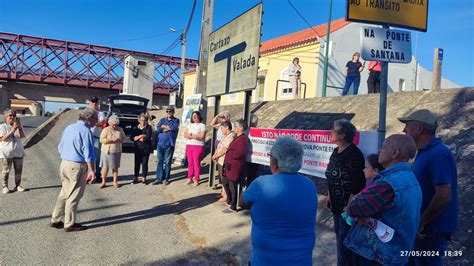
(167, 130)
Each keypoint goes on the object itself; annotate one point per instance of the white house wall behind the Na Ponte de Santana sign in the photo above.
(345, 42)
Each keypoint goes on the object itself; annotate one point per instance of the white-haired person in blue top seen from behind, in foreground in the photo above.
(283, 207)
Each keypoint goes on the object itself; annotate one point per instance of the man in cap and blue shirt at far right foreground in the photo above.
(435, 169)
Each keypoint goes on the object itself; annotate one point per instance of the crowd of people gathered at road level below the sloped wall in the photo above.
(410, 185)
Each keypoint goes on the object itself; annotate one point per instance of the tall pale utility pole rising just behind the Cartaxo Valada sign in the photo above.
(201, 71)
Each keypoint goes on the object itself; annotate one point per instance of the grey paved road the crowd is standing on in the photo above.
(136, 224)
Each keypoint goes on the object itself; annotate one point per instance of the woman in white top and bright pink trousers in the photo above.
(195, 135)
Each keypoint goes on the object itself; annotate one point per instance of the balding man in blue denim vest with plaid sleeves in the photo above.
(394, 198)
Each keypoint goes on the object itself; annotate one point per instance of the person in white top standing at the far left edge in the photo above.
(11, 150)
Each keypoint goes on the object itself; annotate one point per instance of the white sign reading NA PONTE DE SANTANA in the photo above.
(385, 45)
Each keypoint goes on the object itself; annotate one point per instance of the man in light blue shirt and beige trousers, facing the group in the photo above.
(76, 149)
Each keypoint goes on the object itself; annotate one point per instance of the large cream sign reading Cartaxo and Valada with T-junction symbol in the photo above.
(233, 54)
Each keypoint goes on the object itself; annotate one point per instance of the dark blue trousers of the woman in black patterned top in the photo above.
(341, 228)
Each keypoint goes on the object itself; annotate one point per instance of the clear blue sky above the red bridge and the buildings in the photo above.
(115, 22)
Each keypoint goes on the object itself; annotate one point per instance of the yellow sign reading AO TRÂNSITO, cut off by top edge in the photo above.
(411, 14)
